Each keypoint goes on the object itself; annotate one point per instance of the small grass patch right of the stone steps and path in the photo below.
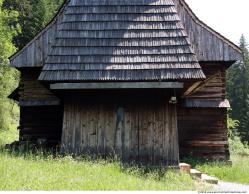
(238, 172)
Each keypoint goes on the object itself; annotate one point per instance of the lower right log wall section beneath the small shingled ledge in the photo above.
(203, 133)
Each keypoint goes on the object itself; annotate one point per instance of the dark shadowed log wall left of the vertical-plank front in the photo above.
(40, 112)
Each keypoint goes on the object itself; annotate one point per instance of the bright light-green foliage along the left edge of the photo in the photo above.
(8, 76)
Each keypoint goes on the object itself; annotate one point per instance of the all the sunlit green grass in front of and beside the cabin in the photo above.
(46, 172)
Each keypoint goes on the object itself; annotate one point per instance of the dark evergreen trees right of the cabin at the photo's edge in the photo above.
(238, 91)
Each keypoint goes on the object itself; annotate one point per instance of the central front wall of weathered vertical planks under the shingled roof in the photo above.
(138, 126)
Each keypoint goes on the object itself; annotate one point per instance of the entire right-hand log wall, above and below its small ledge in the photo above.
(203, 121)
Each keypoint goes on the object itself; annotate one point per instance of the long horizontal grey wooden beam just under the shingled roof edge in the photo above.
(116, 85)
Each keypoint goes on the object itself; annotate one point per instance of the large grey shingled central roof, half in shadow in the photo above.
(121, 40)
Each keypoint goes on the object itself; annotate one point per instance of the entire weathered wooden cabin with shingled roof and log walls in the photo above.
(142, 79)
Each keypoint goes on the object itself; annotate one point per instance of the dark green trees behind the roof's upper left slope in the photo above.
(34, 15)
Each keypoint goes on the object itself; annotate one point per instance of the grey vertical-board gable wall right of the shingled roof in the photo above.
(207, 44)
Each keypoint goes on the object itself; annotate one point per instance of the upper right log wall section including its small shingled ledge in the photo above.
(208, 93)
